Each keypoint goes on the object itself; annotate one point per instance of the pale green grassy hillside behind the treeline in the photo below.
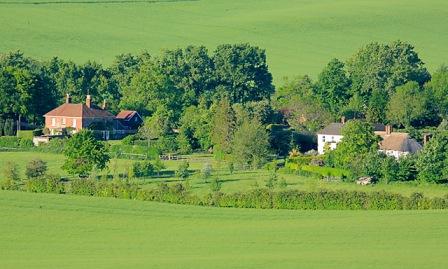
(300, 35)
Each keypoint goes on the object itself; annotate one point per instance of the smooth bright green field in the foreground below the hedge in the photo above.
(51, 231)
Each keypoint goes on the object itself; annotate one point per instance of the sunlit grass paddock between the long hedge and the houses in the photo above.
(238, 181)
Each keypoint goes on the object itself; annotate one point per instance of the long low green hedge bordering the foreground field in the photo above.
(258, 198)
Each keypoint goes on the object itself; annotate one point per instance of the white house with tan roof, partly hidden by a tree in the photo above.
(392, 143)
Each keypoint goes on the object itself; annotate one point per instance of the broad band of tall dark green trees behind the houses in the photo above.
(190, 89)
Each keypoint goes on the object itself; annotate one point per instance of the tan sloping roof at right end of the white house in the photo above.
(398, 142)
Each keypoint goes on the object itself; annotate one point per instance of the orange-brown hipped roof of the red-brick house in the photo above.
(79, 110)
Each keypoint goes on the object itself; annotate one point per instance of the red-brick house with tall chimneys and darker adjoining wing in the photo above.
(71, 118)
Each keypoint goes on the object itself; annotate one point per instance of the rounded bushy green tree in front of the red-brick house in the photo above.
(84, 153)
